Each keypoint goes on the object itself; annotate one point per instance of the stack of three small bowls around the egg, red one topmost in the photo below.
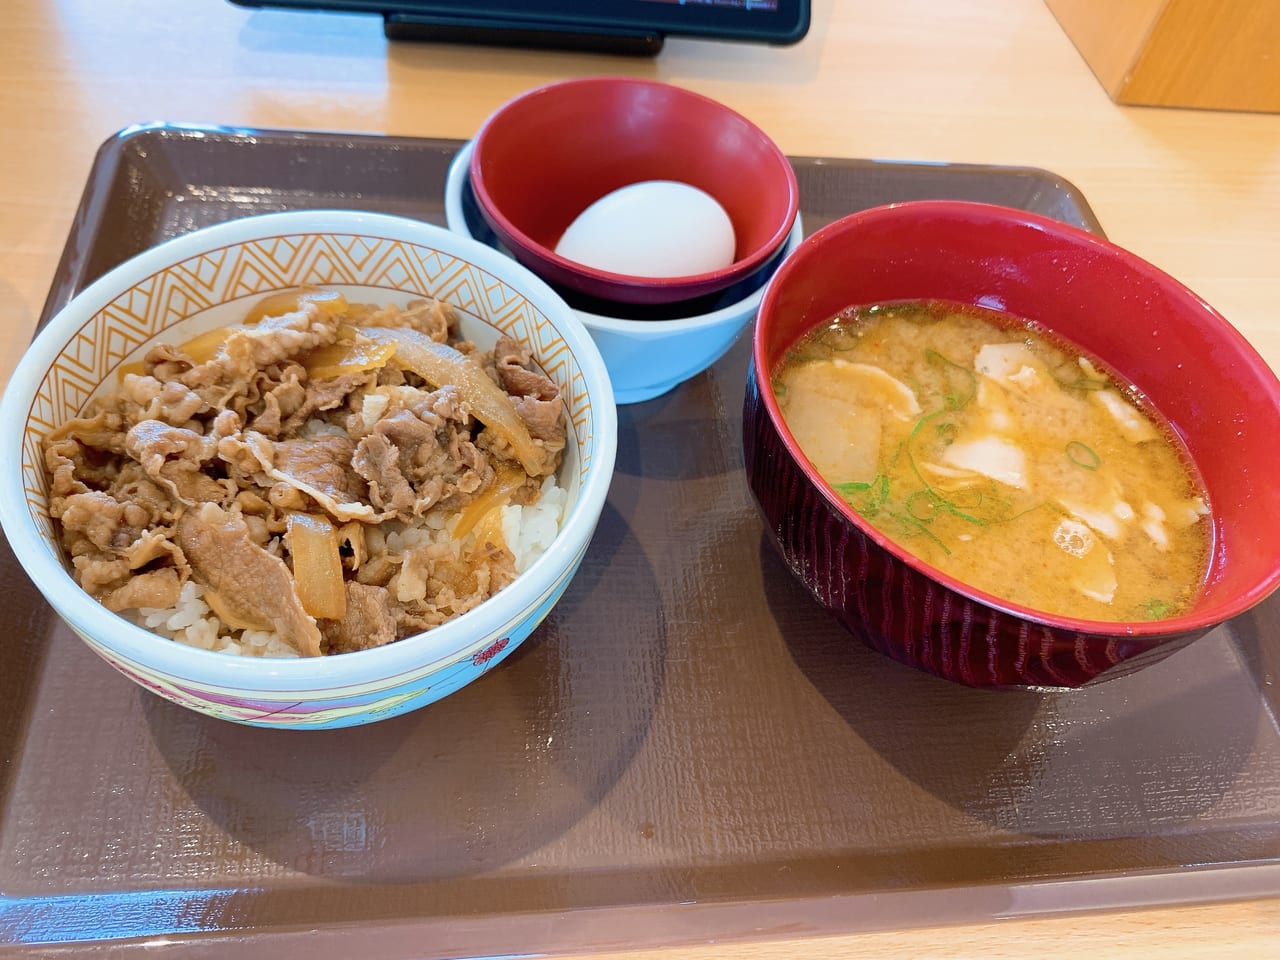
(546, 157)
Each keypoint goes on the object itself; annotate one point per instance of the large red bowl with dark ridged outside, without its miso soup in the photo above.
(1215, 390)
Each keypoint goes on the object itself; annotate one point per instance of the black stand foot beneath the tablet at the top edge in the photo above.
(446, 30)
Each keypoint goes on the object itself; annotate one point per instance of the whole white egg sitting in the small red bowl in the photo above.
(653, 228)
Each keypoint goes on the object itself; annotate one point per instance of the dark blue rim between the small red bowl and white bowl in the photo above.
(680, 310)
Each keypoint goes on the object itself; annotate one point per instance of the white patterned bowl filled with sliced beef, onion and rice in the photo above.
(309, 469)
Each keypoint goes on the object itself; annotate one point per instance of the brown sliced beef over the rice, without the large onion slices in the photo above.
(193, 469)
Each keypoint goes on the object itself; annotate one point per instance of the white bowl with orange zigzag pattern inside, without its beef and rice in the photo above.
(208, 280)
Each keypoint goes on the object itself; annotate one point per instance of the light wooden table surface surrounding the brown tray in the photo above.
(984, 81)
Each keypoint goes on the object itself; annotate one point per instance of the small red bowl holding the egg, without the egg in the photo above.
(546, 157)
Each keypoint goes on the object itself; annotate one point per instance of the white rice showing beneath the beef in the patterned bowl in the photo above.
(528, 532)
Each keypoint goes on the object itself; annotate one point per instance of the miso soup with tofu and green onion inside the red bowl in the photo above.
(1003, 456)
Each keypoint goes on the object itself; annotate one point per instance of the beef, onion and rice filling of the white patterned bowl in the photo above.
(321, 478)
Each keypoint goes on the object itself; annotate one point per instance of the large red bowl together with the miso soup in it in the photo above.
(1008, 452)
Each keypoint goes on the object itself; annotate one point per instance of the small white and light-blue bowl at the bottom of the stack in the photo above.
(644, 358)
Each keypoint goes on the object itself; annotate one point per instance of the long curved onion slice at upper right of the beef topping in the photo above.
(444, 367)
